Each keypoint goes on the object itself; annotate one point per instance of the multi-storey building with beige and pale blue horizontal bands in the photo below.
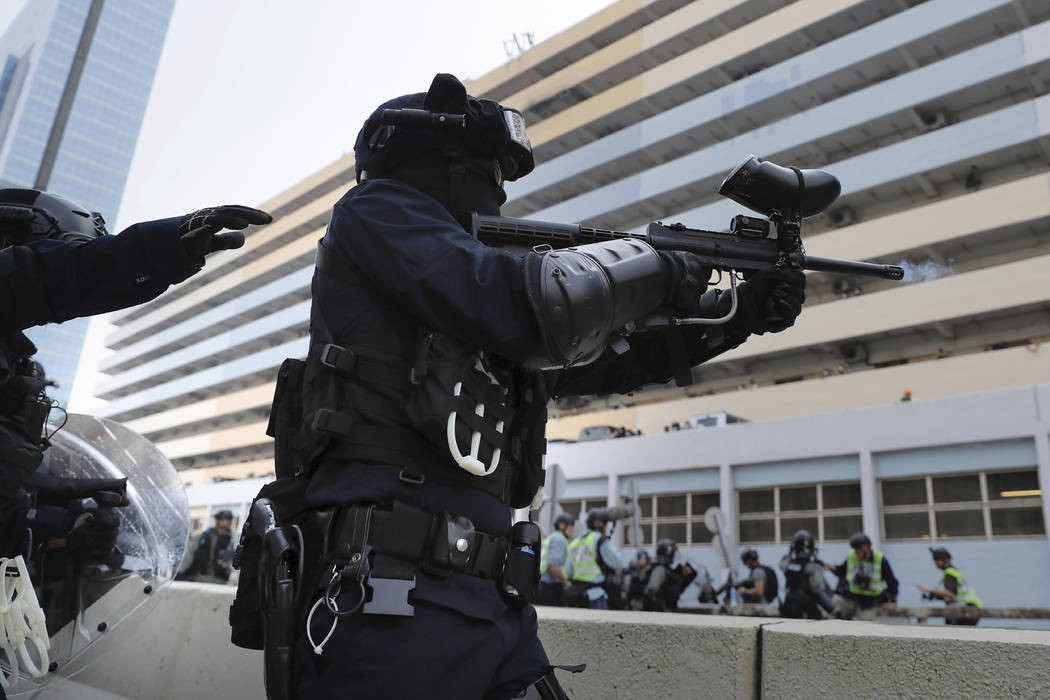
(935, 116)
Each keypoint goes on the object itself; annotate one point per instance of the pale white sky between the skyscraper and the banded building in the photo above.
(254, 96)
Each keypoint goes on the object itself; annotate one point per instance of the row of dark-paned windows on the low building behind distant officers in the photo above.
(984, 506)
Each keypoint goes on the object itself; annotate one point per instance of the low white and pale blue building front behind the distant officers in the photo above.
(965, 473)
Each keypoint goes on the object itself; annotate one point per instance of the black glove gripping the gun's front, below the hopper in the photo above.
(770, 301)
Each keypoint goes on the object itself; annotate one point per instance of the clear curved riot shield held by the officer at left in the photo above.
(86, 605)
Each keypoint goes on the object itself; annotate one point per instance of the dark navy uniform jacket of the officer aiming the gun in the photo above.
(421, 267)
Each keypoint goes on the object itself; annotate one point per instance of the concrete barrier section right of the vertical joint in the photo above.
(834, 660)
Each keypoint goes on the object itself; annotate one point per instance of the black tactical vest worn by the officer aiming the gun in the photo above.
(369, 398)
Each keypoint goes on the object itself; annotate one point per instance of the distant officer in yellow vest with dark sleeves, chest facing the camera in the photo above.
(870, 580)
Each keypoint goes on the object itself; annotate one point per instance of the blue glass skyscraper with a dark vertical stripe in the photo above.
(75, 79)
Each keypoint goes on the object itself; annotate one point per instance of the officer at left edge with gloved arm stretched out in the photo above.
(58, 263)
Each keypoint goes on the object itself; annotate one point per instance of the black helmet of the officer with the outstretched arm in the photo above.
(29, 216)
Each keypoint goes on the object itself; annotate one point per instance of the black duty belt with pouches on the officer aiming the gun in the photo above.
(386, 548)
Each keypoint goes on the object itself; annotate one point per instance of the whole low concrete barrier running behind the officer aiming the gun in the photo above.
(183, 652)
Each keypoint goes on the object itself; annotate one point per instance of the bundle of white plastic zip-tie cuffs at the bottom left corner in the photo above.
(22, 624)
